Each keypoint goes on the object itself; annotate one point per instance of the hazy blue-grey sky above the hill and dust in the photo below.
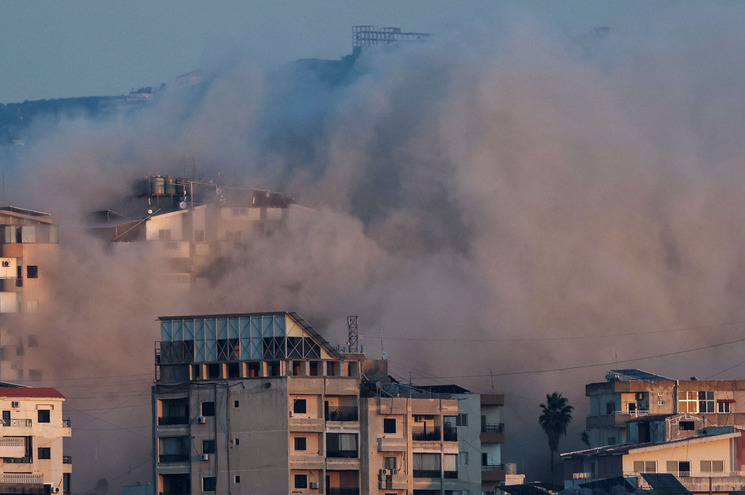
(53, 49)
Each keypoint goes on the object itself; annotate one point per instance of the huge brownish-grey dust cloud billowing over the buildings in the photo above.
(516, 211)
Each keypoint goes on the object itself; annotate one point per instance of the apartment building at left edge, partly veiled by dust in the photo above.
(29, 252)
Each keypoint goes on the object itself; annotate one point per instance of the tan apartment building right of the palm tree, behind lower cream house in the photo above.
(630, 393)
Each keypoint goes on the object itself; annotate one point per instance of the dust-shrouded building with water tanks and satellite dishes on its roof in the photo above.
(192, 225)
